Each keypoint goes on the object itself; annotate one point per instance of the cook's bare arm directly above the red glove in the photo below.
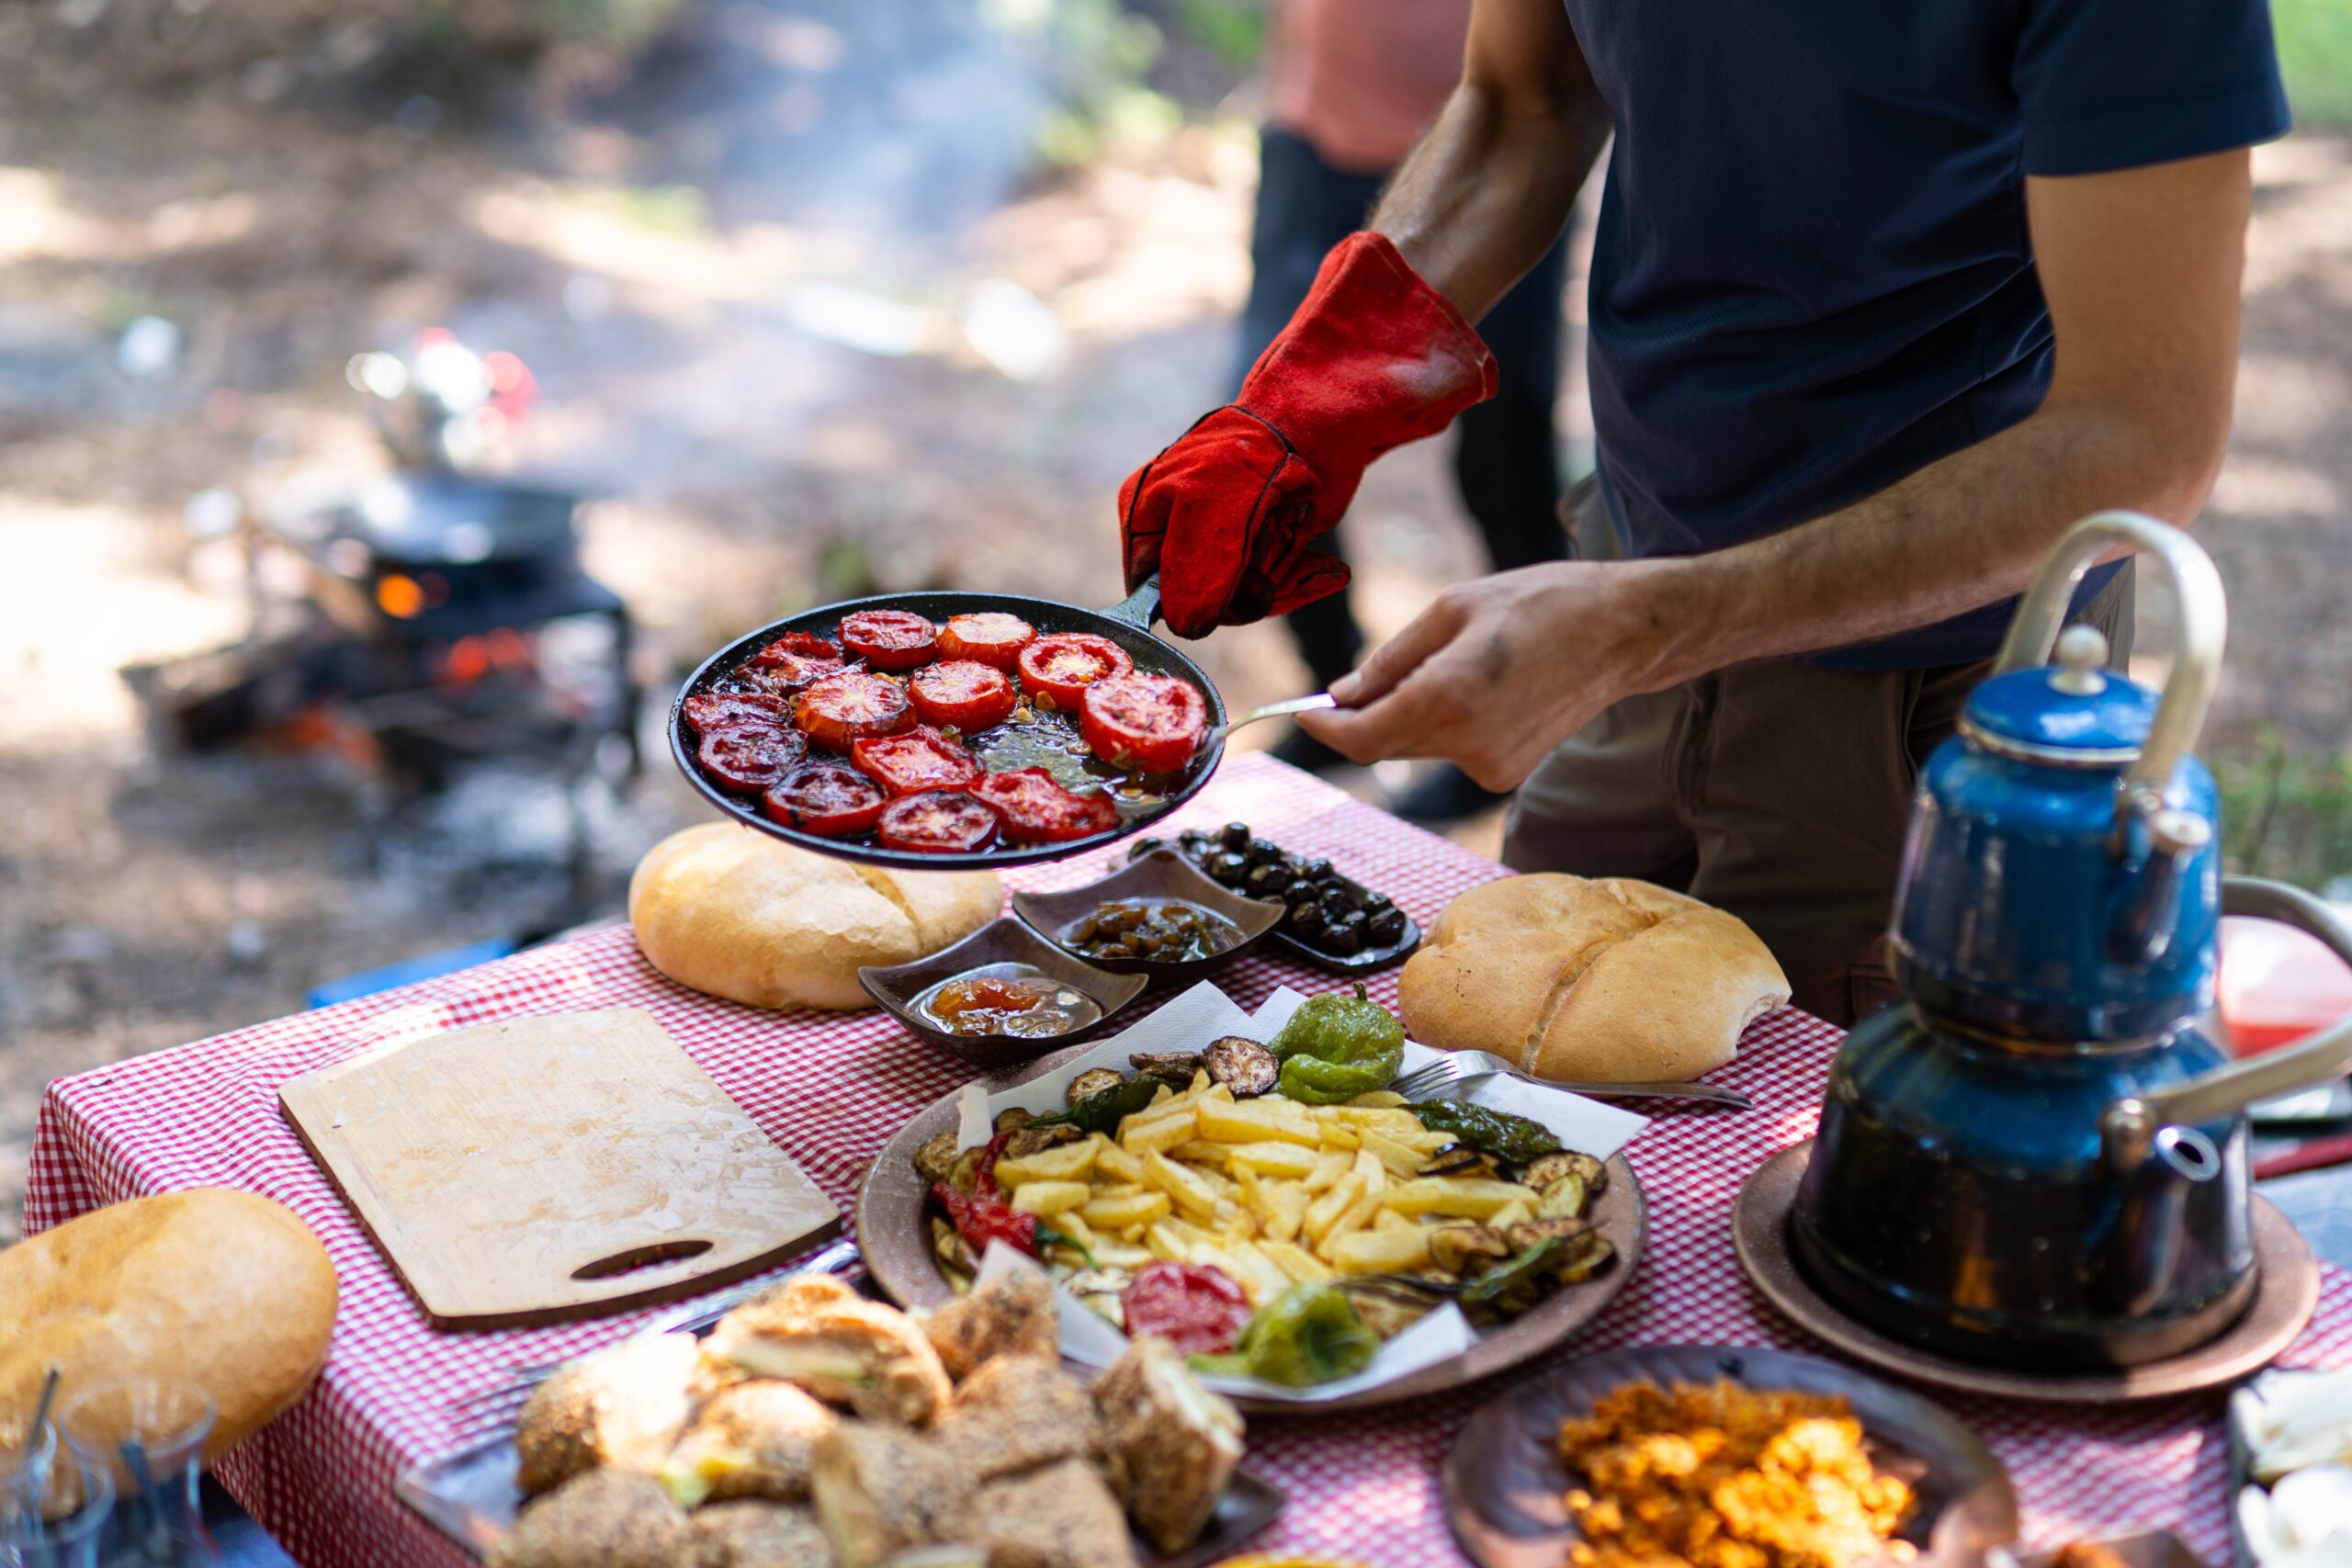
(1492, 185)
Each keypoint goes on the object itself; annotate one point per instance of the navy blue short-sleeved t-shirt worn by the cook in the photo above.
(1812, 272)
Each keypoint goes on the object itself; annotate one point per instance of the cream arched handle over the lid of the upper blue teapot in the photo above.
(2205, 624)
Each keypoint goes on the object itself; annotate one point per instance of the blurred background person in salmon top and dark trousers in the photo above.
(1351, 86)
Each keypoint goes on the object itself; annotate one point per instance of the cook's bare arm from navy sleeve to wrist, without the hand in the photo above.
(2141, 274)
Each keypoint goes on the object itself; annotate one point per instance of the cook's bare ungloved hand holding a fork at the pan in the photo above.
(1502, 669)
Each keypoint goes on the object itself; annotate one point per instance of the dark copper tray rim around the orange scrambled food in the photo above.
(1504, 1477)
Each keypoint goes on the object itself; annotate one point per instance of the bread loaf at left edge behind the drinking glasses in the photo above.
(211, 1287)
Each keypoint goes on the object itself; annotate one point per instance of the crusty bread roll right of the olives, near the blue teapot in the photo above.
(1608, 981)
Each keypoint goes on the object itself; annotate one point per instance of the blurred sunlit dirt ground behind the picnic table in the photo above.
(679, 264)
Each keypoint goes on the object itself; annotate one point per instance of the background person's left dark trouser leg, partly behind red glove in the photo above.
(1304, 210)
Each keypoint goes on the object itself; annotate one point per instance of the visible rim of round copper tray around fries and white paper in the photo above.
(897, 1245)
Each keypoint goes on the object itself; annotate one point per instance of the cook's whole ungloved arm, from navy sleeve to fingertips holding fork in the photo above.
(2141, 272)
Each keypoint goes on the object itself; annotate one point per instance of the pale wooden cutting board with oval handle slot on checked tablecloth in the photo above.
(547, 1170)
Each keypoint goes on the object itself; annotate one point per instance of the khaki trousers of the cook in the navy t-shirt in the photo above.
(1777, 791)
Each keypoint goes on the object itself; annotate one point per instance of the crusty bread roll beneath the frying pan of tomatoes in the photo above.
(740, 916)
